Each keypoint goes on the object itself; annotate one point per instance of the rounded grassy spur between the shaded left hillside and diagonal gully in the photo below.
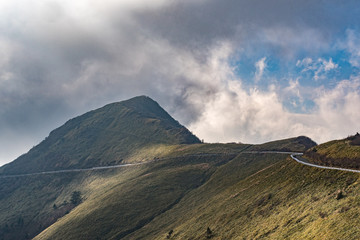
(126, 207)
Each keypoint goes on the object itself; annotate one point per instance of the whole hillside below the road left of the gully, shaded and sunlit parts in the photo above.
(122, 199)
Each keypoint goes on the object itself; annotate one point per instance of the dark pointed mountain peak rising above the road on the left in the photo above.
(103, 136)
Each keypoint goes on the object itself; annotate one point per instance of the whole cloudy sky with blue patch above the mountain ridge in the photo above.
(246, 71)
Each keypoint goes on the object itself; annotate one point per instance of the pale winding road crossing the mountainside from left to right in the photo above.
(294, 155)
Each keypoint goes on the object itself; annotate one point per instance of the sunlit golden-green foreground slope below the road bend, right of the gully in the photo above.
(283, 201)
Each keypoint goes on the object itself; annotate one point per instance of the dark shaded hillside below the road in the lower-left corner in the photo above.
(27, 204)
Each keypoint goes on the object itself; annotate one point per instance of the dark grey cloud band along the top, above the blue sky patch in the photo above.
(199, 23)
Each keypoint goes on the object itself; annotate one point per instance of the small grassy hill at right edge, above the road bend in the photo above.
(338, 153)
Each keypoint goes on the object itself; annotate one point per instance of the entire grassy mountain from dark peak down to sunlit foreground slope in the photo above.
(179, 188)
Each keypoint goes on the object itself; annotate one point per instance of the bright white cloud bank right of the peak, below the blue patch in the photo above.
(235, 114)
